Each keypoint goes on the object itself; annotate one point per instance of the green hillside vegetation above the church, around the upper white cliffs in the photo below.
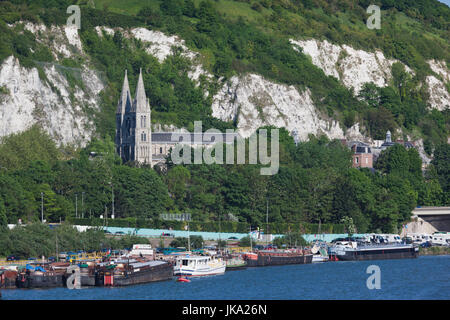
(235, 37)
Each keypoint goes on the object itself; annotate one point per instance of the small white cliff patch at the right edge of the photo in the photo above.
(439, 95)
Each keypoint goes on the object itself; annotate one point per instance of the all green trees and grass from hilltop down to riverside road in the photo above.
(315, 183)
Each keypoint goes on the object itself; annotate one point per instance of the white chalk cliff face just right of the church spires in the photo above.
(254, 102)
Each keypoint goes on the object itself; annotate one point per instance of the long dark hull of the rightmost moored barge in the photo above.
(381, 254)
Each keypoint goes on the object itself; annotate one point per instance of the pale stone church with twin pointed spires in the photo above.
(134, 138)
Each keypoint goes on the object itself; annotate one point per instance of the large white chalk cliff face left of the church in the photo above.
(31, 100)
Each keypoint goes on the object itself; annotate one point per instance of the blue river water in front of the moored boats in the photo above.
(427, 277)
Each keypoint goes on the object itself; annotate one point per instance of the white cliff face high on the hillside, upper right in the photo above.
(352, 67)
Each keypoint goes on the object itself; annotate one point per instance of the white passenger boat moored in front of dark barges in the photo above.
(194, 266)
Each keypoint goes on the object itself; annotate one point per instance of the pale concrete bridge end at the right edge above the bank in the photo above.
(429, 220)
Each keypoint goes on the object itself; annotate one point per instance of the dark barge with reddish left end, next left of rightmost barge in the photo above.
(277, 258)
